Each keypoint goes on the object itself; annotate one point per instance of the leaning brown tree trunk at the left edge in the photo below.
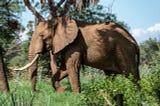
(3, 77)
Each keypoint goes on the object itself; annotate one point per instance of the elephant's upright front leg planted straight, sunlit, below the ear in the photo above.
(73, 66)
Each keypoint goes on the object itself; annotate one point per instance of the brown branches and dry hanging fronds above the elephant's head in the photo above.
(61, 8)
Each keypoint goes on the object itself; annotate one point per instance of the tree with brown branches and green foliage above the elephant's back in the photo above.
(83, 10)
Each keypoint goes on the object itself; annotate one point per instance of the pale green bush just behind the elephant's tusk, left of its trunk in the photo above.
(17, 54)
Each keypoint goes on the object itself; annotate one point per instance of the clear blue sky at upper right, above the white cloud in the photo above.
(137, 13)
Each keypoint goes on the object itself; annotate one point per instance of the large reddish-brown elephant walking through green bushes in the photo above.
(106, 46)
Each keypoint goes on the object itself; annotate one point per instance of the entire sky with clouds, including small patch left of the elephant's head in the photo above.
(142, 16)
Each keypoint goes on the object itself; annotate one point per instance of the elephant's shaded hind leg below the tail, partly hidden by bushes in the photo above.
(127, 63)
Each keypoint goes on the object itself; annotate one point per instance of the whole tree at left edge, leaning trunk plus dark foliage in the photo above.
(9, 26)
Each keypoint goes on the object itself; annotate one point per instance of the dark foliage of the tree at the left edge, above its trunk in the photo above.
(8, 22)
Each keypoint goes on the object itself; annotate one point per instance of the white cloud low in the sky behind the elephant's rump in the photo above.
(143, 34)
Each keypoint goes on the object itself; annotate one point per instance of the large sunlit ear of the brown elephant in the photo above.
(65, 33)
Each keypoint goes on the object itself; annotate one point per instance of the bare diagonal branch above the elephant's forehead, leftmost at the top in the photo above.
(33, 10)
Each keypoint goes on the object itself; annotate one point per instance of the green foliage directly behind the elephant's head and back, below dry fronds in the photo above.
(91, 14)
